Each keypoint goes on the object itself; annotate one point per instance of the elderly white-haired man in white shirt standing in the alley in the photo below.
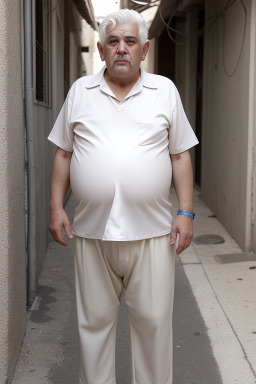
(122, 137)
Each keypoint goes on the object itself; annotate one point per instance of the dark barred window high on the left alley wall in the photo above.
(41, 49)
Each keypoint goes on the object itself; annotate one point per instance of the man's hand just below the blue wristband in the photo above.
(183, 226)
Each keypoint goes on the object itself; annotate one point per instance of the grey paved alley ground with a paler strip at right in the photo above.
(214, 316)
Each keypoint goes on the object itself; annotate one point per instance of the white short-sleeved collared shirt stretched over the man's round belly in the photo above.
(120, 171)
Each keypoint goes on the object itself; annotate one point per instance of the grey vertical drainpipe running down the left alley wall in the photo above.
(29, 126)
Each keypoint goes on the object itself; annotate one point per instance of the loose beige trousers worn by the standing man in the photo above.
(145, 268)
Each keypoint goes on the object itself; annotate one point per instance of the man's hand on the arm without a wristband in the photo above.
(59, 221)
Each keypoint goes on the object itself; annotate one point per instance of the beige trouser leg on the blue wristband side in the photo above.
(149, 301)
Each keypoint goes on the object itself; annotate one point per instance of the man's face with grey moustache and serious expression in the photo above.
(123, 51)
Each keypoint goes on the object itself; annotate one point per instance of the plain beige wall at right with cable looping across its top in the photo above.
(226, 149)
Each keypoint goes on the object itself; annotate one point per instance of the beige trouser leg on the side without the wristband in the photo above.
(98, 290)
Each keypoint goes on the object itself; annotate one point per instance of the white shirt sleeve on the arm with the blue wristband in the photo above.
(181, 134)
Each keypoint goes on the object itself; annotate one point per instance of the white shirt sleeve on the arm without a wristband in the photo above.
(62, 131)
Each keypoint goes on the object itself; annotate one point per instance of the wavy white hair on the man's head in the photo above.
(121, 17)
